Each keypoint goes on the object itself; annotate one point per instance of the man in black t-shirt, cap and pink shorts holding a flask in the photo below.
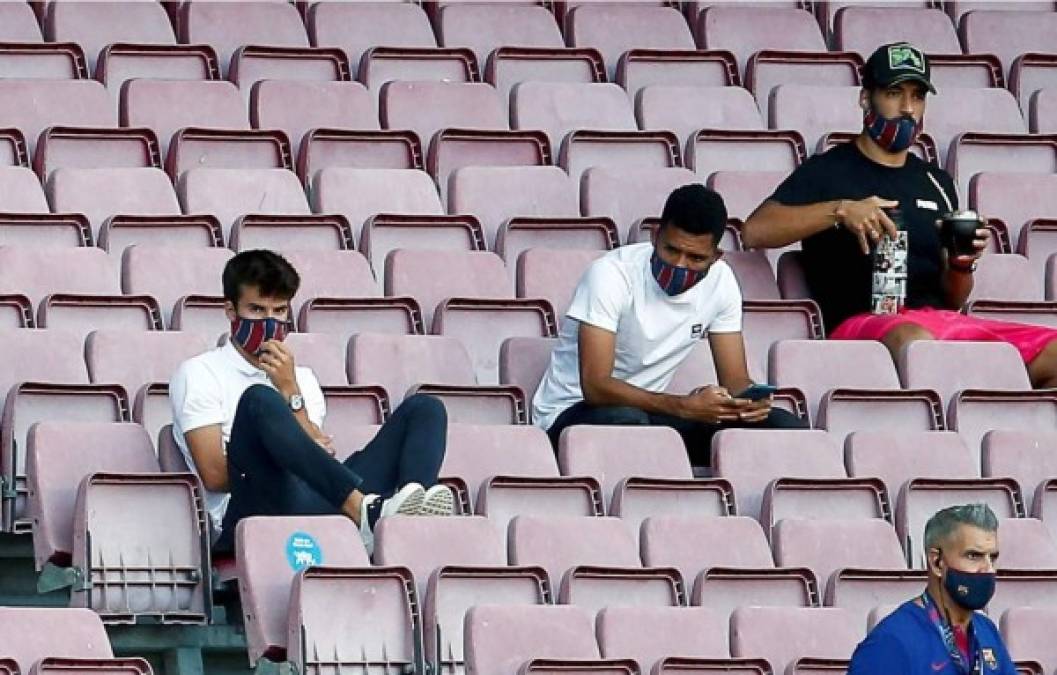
(836, 205)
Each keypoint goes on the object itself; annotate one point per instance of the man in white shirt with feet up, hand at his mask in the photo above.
(250, 423)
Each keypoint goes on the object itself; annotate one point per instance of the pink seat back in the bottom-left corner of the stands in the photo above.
(35, 633)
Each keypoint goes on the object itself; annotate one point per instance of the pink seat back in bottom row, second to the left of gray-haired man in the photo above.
(650, 635)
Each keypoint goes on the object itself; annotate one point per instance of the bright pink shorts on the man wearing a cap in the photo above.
(944, 325)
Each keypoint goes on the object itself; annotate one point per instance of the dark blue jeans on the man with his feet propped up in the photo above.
(275, 468)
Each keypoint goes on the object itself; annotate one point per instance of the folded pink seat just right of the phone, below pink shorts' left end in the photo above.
(855, 399)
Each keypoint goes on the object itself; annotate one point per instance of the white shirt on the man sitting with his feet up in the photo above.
(206, 390)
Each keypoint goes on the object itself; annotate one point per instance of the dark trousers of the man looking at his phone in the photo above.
(697, 436)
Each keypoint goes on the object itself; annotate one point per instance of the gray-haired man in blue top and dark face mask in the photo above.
(940, 632)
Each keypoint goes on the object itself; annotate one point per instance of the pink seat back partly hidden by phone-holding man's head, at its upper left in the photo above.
(629, 196)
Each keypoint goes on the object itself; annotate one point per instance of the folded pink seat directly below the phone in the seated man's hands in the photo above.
(757, 462)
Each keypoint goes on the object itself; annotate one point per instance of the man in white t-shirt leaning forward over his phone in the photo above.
(636, 316)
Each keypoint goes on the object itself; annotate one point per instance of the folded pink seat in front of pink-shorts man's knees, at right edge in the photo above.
(989, 390)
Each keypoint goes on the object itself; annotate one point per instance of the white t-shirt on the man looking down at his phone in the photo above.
(655, 332)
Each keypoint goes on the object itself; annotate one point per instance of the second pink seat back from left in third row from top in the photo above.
(102, 194)
